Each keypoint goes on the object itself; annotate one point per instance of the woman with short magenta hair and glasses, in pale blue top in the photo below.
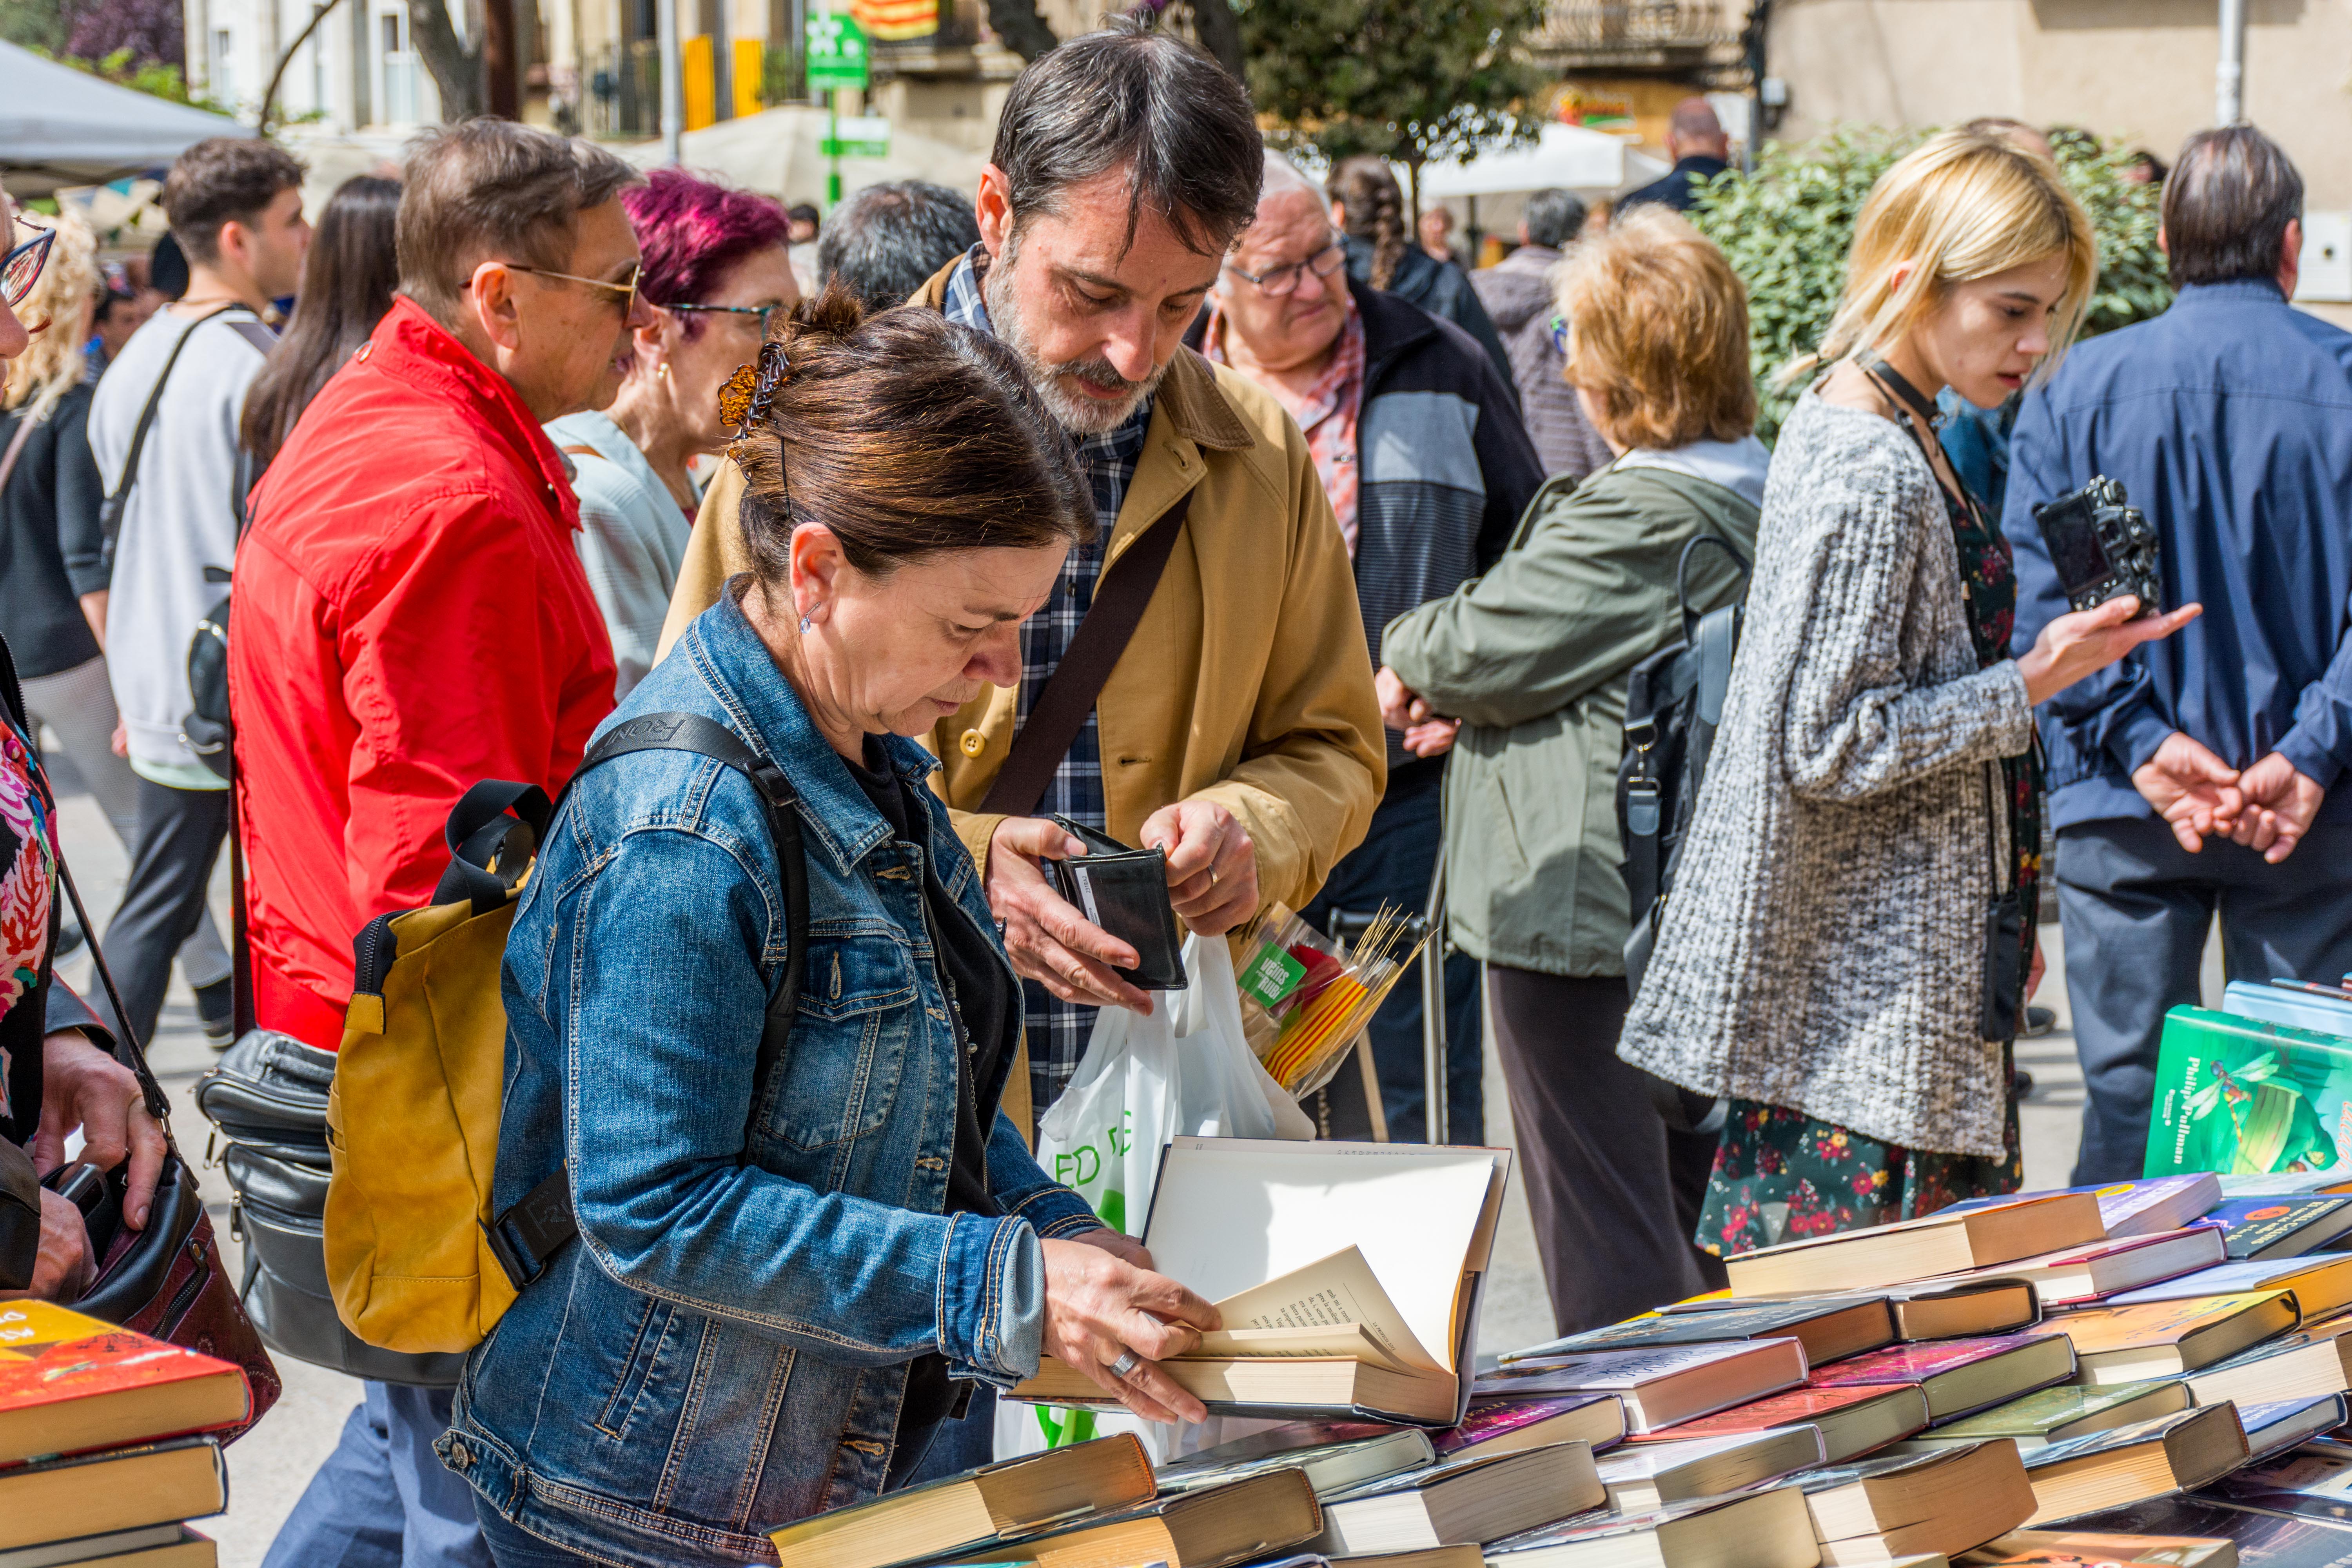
(714, 272)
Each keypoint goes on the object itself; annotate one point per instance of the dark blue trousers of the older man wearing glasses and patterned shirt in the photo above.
(1394, 866)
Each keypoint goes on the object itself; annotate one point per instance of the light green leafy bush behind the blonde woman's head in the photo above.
(1786, 234)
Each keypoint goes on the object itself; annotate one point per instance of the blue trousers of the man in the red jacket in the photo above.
(382, 1499)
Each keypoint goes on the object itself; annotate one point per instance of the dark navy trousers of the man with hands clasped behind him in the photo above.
(2137, 911)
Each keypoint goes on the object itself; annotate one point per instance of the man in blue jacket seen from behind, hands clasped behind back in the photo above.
(2200, 775)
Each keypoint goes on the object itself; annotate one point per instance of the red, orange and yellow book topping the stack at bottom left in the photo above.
(72, 1383)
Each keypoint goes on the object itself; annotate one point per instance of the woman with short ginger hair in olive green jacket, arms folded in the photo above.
(1532, 664)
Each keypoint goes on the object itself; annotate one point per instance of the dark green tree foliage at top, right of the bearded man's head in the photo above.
(1408, 79)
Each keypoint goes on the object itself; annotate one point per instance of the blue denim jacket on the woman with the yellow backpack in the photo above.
(728, 1341)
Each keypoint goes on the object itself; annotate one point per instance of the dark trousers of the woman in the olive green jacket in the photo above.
(1615, 1195)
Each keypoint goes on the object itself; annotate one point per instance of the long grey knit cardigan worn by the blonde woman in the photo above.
(1824, 944)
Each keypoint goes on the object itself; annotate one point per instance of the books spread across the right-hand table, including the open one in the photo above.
(2139, 1374)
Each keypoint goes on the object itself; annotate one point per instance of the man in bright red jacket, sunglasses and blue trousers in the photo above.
(410, 617)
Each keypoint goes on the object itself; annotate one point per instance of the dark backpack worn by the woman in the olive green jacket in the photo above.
(1673, 709)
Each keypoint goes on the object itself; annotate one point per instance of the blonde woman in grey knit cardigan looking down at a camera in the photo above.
(1852, 927)
